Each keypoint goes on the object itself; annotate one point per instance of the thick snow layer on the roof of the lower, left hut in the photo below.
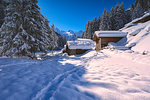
(81, 44)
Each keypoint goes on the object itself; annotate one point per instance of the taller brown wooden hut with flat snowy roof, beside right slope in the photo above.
(102, 38)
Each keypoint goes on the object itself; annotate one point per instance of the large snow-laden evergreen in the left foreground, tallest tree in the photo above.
(25, 31)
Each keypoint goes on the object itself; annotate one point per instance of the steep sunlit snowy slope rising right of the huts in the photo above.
(138, 36)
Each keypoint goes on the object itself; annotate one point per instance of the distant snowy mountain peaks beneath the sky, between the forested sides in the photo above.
(70, 35)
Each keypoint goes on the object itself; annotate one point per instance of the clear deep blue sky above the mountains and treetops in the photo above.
(74, 14)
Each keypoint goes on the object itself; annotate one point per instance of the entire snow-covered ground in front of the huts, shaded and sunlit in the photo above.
(105, 75)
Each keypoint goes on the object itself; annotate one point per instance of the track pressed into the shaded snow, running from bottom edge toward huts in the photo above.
(49, 91)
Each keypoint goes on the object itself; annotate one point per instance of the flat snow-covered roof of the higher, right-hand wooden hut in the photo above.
(110, 34)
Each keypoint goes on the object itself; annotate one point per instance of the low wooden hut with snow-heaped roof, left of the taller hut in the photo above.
(79, 46)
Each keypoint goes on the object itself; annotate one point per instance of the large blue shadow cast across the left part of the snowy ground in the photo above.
(23, 79)
